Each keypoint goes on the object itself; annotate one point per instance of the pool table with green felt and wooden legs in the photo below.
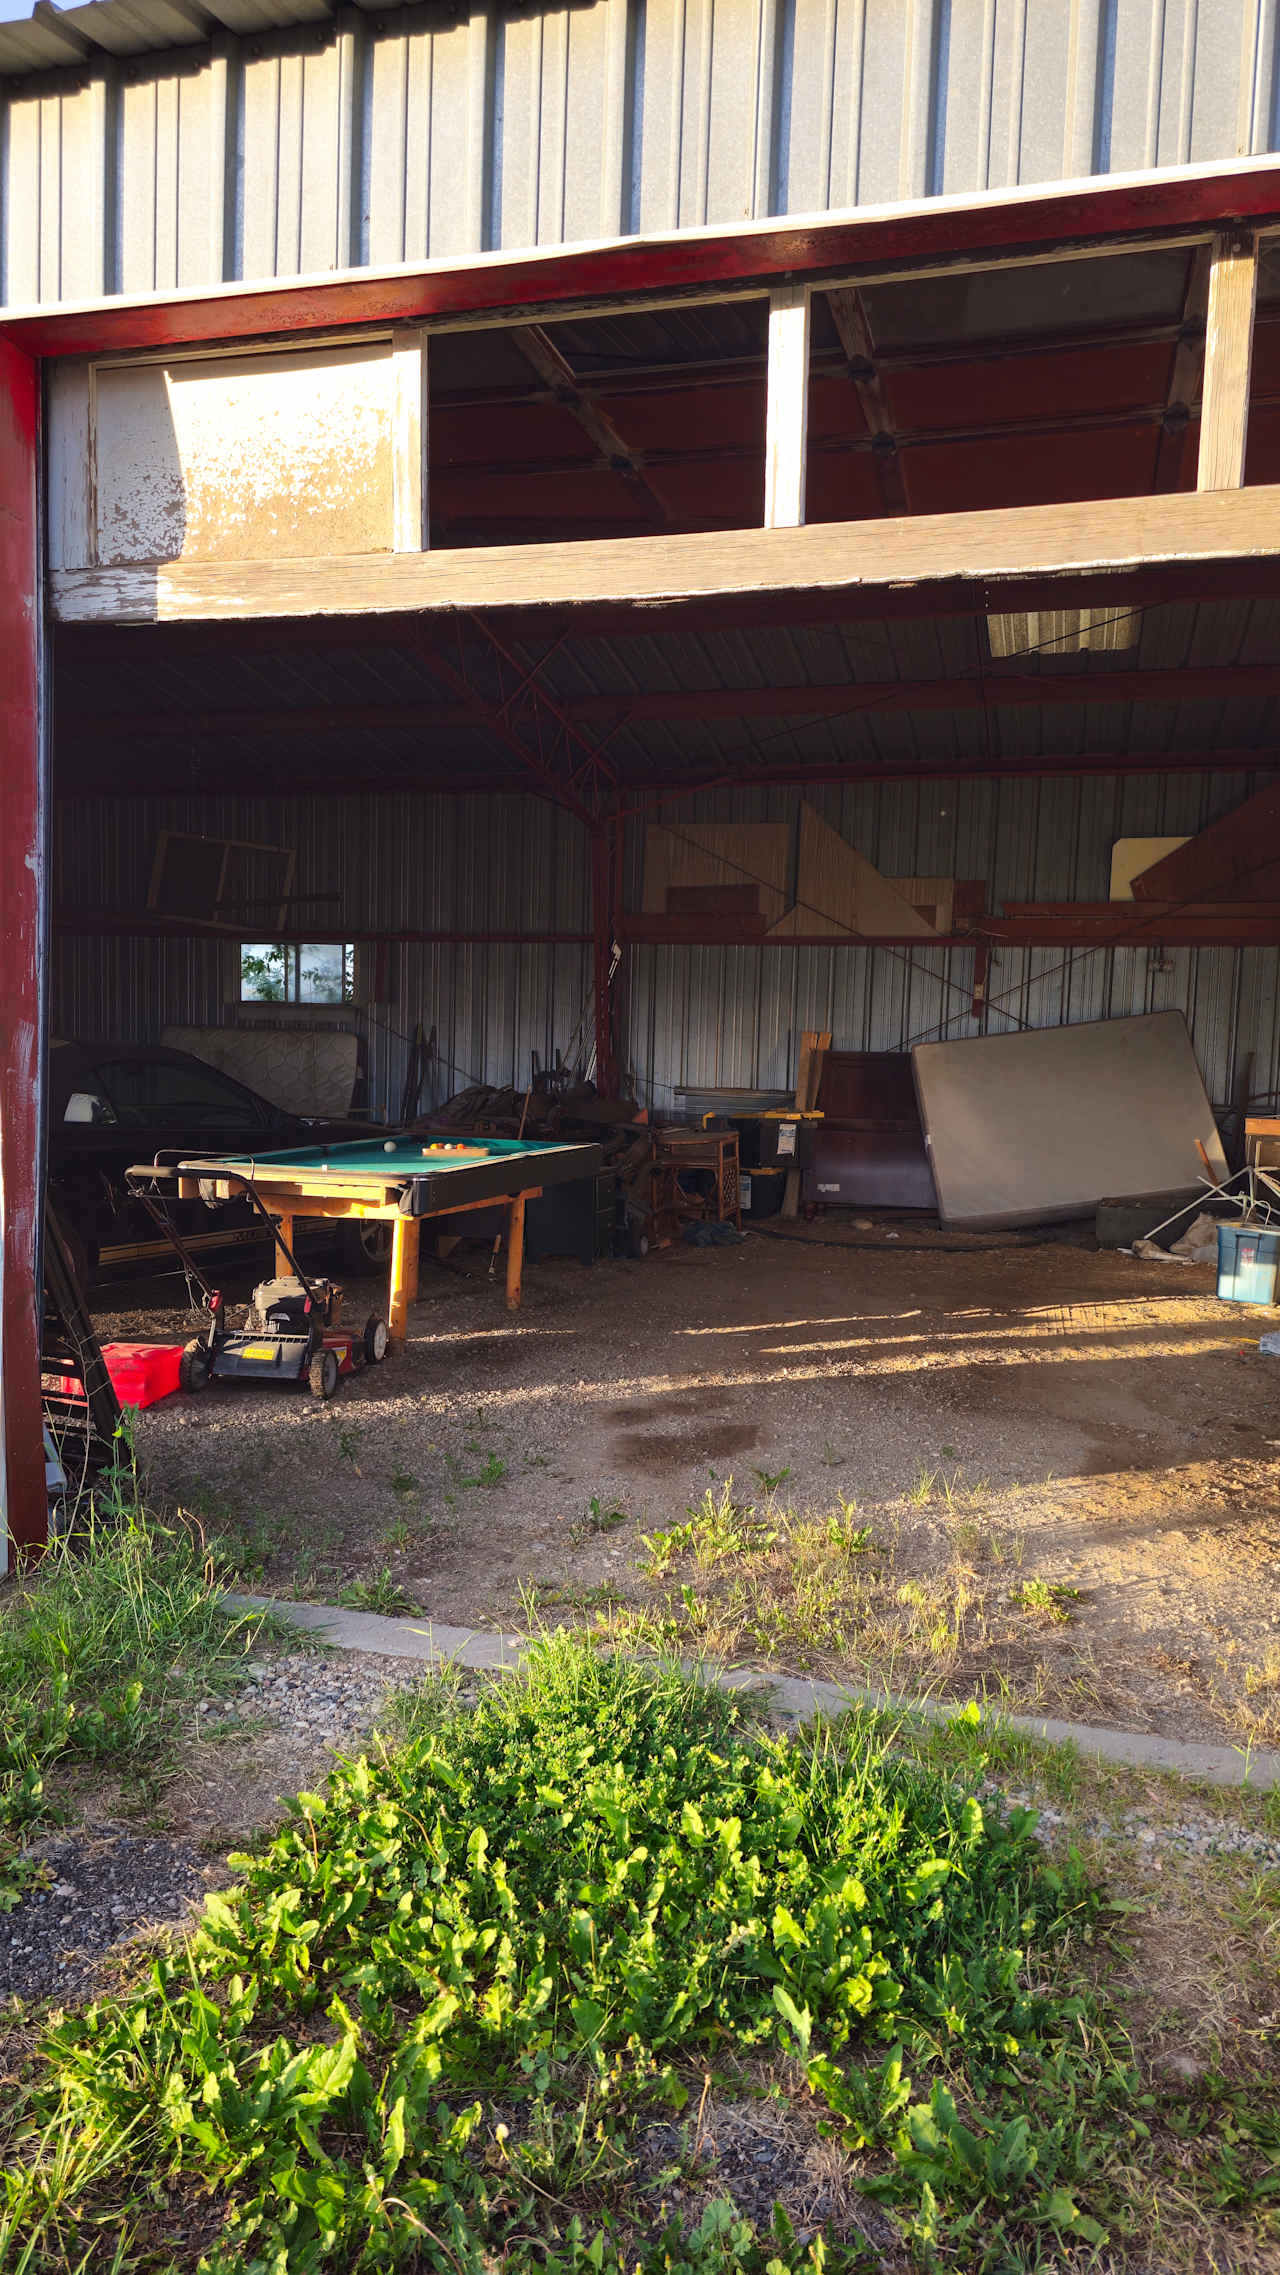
(399, 1182)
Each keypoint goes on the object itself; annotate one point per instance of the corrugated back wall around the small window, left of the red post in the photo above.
(394, 863)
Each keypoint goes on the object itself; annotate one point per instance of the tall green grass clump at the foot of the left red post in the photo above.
(106, 1646)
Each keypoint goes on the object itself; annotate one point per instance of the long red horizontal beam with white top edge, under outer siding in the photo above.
(692, 260)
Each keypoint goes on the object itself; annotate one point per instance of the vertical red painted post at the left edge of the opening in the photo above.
(22, 879)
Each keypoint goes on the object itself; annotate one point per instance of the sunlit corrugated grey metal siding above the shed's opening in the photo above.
(285, 147)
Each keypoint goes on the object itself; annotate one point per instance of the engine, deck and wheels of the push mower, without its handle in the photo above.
(292, 1334)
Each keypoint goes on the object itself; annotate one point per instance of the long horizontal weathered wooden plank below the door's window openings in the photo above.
(847, 561)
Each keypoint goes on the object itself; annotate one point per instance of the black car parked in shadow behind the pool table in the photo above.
(115, 1105)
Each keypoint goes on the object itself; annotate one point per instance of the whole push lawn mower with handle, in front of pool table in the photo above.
(292, 1327)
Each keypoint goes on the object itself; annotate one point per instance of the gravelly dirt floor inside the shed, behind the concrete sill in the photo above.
(1036, 1471)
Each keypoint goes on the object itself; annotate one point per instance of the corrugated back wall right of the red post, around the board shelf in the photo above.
(735, 1016)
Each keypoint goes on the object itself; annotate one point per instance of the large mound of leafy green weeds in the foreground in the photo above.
(433, 2021)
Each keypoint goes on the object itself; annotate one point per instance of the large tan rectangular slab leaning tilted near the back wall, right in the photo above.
(1029, 1130)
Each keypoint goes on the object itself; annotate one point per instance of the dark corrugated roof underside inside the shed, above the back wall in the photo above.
(183, 677)
